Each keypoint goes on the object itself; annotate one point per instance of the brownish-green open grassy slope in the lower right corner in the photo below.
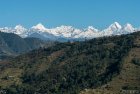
(128, 81)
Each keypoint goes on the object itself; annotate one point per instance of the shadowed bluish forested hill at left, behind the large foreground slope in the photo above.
(12, 45)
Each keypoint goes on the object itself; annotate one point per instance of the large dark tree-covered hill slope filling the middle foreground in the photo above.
(68, 68)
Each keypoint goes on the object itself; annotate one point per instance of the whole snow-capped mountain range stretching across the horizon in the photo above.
(69, 32)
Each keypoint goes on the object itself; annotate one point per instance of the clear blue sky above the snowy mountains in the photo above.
(77, 13)
